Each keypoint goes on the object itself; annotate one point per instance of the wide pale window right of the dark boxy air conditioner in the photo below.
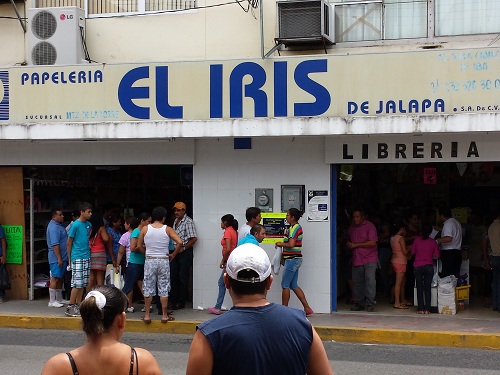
(370, 20)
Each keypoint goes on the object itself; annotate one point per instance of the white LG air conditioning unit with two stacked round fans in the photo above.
(55, 36)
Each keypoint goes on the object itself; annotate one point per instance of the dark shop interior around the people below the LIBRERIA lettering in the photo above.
(391, 193)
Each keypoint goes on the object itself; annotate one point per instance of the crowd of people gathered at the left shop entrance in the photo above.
(95, 242)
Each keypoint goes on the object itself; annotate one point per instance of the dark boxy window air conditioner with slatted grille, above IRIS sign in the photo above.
(305, 22)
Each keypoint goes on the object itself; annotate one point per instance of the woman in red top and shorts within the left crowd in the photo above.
(98, 241)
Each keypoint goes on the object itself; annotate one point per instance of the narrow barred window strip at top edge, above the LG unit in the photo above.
(95, 8)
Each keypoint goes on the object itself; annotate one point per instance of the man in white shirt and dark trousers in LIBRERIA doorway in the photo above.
(451, 243)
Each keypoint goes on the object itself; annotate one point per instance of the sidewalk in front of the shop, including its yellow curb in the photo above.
(476, 327)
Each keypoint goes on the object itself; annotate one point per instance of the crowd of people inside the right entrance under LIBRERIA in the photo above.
(400, 254)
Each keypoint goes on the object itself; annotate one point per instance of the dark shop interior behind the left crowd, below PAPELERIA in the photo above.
(122, 190)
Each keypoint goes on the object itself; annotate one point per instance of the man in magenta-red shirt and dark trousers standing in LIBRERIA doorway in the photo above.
(363, 239)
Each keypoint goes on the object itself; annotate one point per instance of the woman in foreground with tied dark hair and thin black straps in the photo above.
(103, 320)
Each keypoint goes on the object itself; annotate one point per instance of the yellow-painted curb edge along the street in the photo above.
(326, 333)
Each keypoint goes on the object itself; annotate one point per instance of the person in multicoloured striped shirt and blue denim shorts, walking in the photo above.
(292, 254)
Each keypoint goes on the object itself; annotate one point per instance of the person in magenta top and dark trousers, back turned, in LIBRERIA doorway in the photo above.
(424, 248)
